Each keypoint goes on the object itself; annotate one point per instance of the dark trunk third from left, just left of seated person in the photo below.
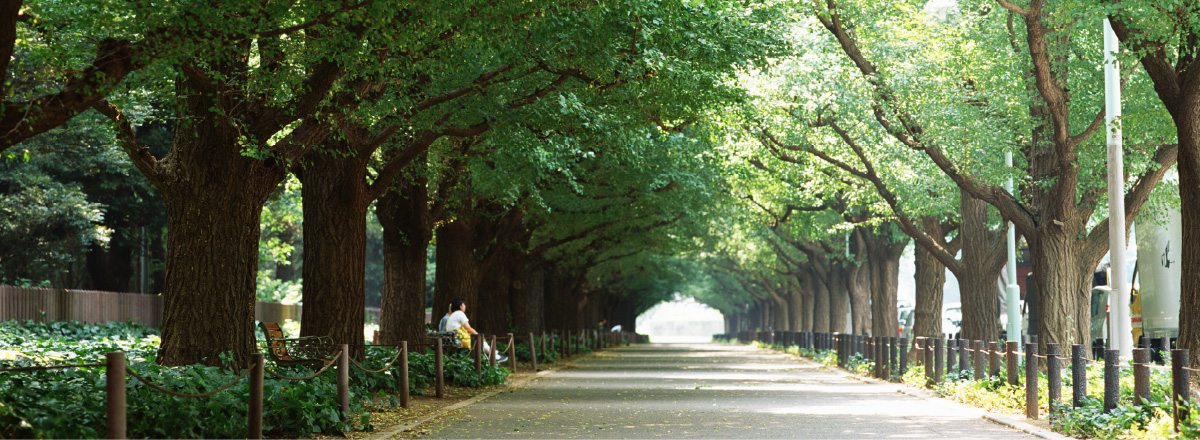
(405, 218)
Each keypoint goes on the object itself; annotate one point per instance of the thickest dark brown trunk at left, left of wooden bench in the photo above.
(214, 200)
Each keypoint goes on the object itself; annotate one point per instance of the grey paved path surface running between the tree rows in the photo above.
(711, 391)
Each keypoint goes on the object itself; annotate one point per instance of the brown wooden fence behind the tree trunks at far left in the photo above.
(93, 306)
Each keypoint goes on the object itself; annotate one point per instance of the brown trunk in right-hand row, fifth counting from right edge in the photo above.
(884, 258)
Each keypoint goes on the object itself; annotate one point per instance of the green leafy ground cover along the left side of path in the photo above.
(70, 403)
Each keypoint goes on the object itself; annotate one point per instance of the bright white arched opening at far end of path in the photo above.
(682, 321)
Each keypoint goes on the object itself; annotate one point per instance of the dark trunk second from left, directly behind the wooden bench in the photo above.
(335, 207)
